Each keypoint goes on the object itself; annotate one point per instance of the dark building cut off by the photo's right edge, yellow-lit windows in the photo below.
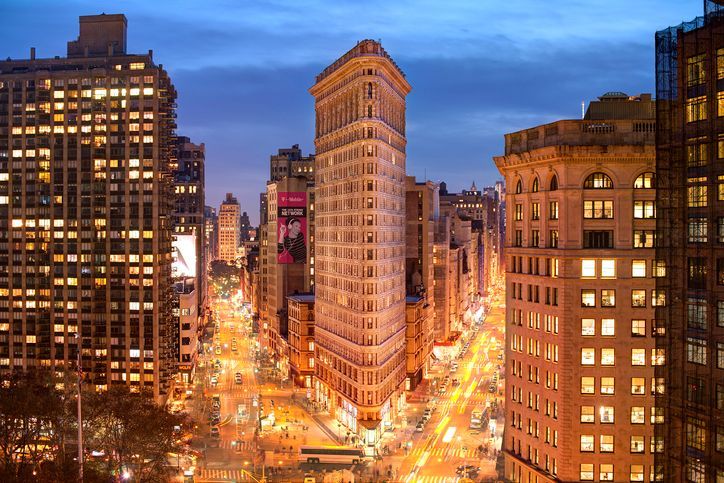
(690, 238)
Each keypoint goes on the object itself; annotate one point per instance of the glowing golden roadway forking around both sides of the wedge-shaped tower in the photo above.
(428, 456)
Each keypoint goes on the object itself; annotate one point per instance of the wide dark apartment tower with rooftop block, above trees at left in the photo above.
(85, 210)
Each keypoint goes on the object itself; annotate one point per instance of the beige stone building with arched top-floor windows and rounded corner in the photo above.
(580, 297)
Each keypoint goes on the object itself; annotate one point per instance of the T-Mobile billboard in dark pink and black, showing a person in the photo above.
(292, 227)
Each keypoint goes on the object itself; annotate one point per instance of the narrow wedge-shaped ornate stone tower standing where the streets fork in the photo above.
(360, 239)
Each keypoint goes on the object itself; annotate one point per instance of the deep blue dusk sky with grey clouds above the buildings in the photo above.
(478, 69)
